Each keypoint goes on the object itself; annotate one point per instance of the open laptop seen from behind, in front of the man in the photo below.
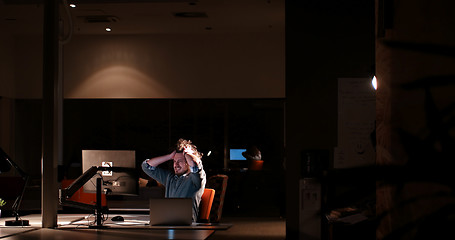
(171, 211)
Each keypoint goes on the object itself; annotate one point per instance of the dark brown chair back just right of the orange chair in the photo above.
(219, 183)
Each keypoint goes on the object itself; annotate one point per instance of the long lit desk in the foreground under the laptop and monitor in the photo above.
(134, 227)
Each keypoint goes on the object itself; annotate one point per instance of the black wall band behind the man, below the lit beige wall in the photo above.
(151, 127)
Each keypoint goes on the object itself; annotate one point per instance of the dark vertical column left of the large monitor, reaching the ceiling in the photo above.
(50, 136)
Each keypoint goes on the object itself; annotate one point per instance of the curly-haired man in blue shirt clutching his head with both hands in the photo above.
(188, 178)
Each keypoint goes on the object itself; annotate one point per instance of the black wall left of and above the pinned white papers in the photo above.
(325, 40)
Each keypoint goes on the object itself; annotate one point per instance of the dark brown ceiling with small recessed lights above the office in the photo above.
(149, 16)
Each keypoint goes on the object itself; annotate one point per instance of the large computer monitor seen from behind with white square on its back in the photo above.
(114, 182)
